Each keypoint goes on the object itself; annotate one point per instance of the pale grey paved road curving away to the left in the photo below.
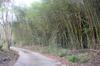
(29, 58)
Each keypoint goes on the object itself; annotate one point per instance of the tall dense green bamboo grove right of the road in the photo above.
(60, 23)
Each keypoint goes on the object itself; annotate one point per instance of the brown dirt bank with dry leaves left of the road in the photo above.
(8, 58)
